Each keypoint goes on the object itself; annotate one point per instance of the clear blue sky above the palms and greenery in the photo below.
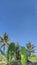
(19, 19)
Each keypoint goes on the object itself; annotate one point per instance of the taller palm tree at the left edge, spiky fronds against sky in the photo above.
(4, 41)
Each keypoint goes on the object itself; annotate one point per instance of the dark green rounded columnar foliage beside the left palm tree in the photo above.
(10, 52)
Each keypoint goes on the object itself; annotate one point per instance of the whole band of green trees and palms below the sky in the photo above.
(12, 53)
